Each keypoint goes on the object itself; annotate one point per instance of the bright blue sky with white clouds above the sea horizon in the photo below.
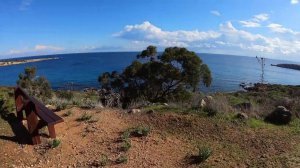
(265, 28)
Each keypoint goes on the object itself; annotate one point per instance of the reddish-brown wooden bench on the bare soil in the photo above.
(37, 115)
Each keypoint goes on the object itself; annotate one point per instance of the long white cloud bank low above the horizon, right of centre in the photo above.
(226, 39)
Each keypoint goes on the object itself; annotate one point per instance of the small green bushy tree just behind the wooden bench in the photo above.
(38, 87)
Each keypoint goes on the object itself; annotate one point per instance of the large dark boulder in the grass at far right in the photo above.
(280, 115)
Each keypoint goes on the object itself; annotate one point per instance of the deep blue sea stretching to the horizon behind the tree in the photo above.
(81, 70)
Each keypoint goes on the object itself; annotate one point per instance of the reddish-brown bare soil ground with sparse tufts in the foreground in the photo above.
(171, 142)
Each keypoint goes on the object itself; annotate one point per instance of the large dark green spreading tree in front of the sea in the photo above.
(174, 74)
